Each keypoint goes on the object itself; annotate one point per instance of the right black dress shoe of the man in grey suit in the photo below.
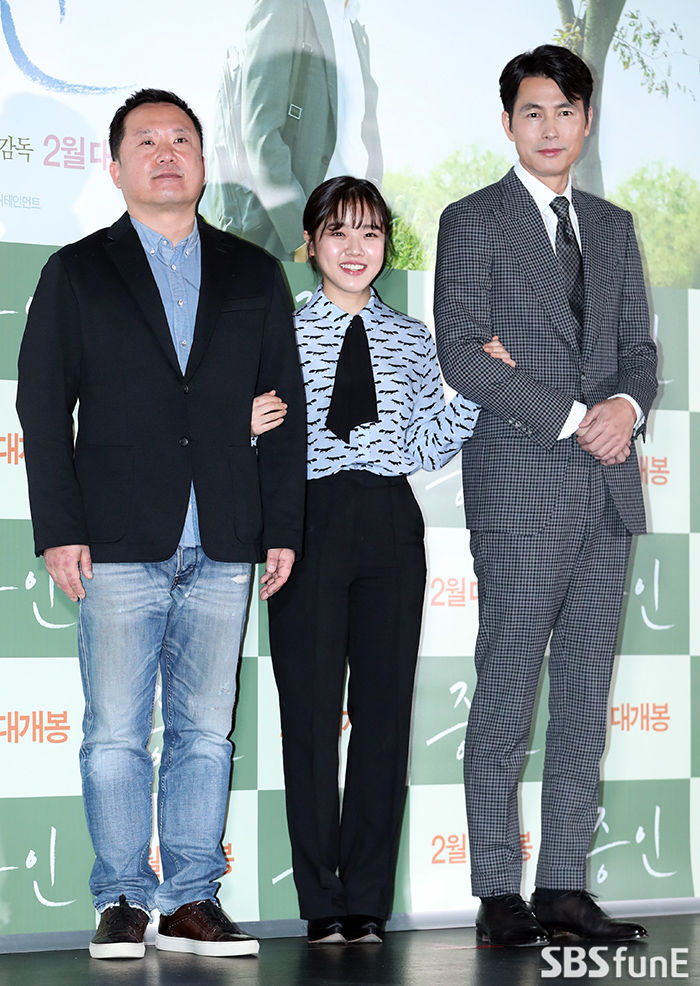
(576, 912)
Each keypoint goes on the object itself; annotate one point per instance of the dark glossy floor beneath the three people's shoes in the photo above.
(407, 958)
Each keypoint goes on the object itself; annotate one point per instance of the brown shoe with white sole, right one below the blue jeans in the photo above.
(203, 929)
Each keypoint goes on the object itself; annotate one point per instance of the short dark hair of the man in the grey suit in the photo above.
(570, 73)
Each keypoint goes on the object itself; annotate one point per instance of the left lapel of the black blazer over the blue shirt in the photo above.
(126, 252)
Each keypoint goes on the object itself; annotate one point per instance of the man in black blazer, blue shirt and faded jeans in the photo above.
(163, 329)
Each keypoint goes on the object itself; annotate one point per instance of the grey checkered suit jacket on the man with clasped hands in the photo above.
(496, 273)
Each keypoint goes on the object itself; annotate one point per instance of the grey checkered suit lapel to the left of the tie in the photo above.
(523, 225)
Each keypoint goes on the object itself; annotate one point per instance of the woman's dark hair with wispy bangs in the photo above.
(333, 199)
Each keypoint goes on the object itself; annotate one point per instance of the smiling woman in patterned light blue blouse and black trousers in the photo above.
(376, 413)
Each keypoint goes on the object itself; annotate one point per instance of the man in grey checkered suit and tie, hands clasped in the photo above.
(552, 492)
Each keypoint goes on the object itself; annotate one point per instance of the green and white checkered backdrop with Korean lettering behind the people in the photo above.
(650, 797)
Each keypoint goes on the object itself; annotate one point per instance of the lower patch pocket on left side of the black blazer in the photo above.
(106, 477)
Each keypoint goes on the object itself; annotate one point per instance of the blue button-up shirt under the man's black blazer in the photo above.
(177, 272)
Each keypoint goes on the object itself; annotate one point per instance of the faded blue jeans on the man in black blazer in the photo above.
(185, 614)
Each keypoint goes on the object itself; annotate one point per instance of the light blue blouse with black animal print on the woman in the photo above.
(415, 429)
